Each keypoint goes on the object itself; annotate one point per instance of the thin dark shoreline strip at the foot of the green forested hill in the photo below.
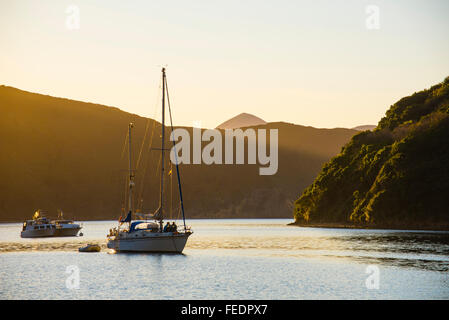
(340, 225)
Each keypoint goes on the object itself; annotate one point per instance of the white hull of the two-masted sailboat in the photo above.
(159, 242)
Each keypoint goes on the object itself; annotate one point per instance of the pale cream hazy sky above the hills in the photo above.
(308, 62)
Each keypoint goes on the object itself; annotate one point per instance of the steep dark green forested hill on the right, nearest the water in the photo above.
(395, 176)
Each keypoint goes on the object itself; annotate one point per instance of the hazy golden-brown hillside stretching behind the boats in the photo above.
(66, 154)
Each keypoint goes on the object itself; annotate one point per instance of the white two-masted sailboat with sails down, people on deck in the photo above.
(149, 235)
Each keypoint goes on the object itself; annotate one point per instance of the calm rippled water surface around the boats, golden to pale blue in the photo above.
(232, 259)
